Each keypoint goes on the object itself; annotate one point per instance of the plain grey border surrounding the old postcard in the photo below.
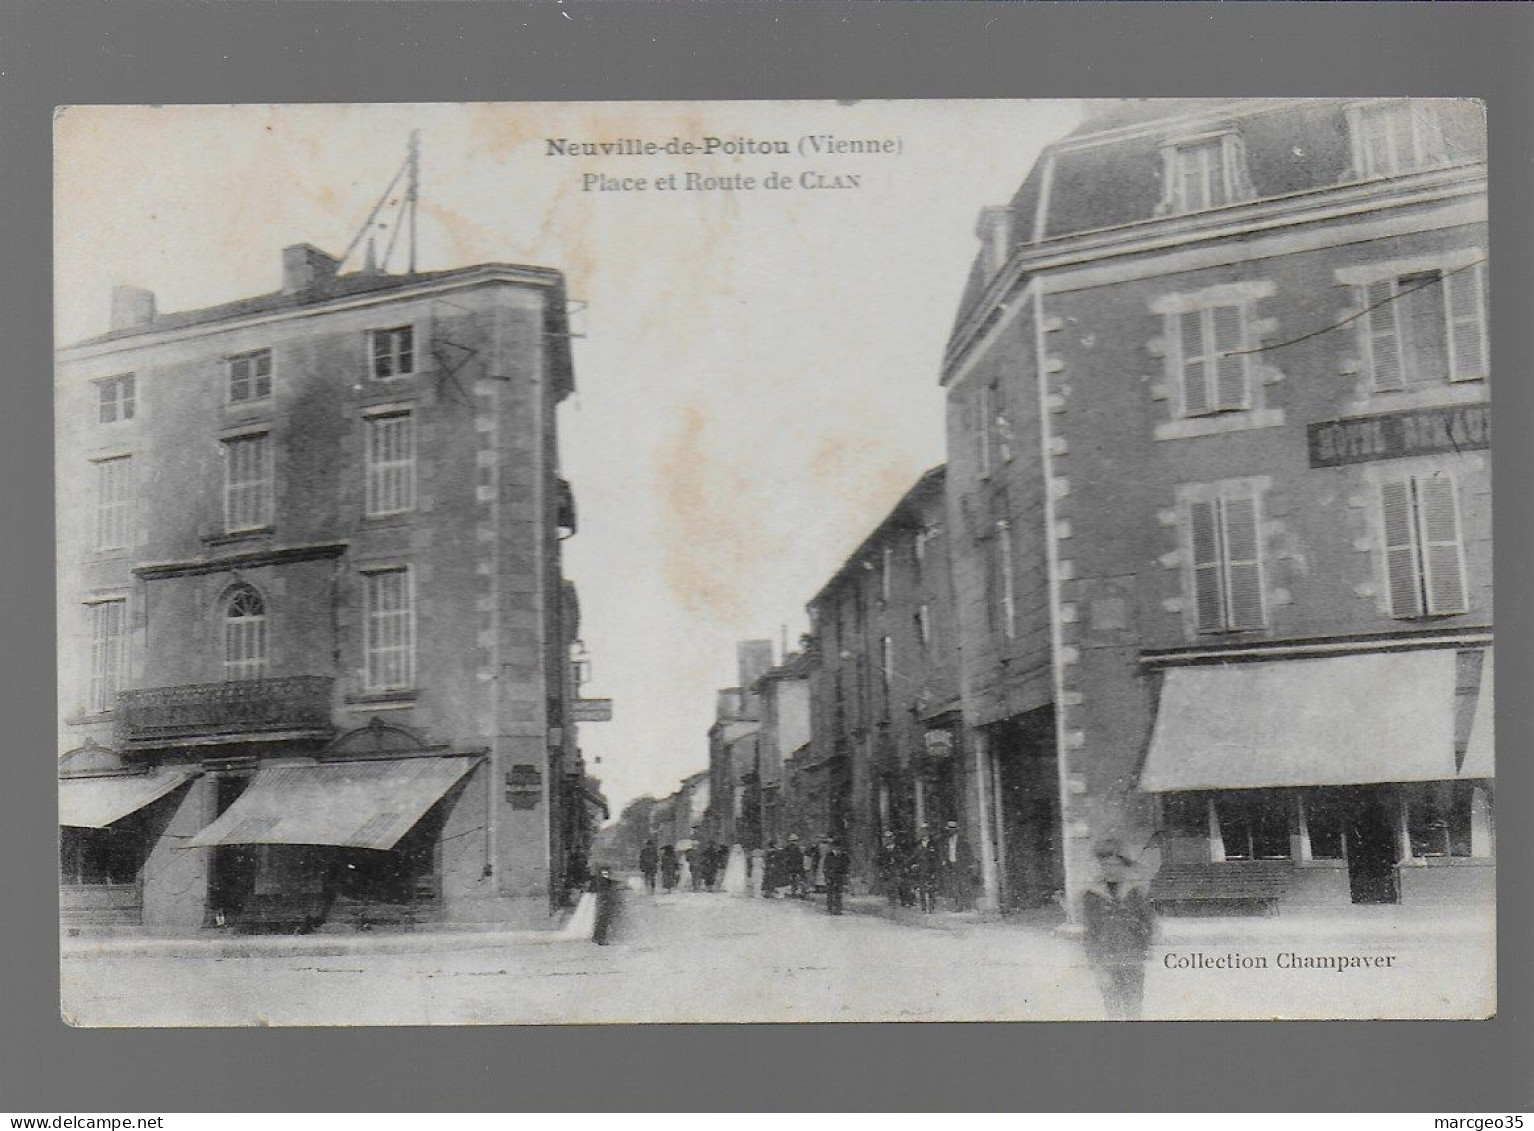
(225, 53)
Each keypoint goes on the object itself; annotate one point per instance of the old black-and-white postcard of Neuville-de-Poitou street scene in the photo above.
(736, 562)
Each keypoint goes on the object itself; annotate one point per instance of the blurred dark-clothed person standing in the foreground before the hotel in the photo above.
(1121, 925)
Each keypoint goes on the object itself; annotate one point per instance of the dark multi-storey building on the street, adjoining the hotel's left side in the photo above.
(886, 693)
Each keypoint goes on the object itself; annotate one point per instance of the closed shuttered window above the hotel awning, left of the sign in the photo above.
(1228, 564)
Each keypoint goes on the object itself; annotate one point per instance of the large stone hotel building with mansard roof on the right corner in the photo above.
(1220, 489)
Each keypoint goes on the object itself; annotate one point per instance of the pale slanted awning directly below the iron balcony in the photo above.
(358, 805)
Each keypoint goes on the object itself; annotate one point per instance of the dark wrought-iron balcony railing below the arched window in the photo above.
(235, 708)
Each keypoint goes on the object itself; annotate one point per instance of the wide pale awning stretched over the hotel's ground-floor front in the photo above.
(1337, 722)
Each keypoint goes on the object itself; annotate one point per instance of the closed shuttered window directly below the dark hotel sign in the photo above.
(1424, 549)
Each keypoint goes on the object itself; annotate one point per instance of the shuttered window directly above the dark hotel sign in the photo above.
(1426, 329)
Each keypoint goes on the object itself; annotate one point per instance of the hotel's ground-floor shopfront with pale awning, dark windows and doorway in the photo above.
(1325, 782)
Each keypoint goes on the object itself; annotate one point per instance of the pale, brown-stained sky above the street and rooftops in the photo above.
(759, 377)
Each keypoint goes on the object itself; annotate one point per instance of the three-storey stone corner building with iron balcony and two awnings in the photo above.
(312, 622)
